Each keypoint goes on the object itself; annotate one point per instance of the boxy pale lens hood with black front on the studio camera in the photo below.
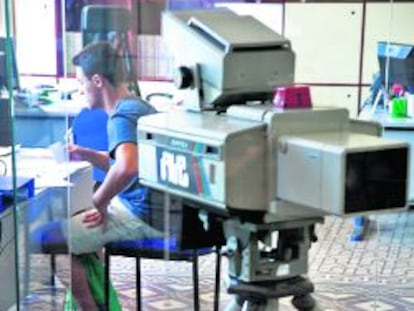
(342, 173)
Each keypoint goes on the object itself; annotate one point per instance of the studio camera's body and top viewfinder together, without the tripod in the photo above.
(255, 157)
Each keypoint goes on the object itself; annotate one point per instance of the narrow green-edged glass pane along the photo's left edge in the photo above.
(8, 218)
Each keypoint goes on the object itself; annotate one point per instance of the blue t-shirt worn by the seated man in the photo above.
(122, 128)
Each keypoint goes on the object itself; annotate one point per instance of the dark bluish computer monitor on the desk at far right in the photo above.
(396, 62)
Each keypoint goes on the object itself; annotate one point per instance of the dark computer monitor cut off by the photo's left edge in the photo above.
(6, 45)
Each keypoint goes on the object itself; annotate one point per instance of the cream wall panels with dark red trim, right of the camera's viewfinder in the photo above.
(326, 38)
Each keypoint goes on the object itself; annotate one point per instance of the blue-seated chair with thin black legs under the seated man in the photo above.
(184, 243)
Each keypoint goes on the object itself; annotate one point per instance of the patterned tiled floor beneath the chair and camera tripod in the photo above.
(375, 274)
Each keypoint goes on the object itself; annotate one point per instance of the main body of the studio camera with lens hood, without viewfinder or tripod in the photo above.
(312, 158)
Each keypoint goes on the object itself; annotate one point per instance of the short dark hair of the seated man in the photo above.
(101, 58)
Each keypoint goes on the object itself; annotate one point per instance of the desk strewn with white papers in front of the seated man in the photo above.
(69, 185)
